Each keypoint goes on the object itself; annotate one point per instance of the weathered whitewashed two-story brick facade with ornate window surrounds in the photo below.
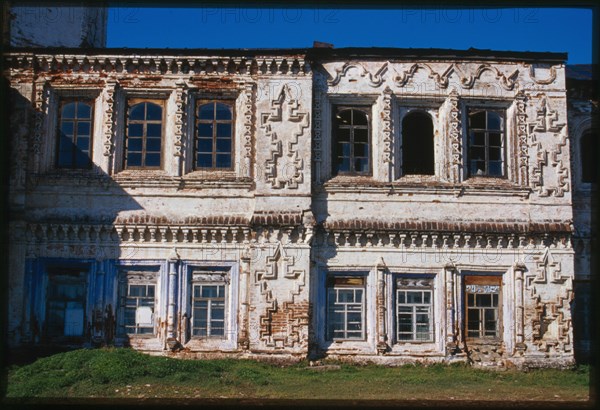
(385, 205)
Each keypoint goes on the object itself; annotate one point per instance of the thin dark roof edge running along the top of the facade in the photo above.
(323, 54)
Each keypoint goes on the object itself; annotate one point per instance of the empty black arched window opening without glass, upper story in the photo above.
(417, 144)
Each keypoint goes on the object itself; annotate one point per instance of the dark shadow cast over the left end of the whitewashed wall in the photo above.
(67, 218)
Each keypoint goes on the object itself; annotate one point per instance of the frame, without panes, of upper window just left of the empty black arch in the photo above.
(368, 111)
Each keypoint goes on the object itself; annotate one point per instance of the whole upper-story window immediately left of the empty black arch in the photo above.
(351, 150)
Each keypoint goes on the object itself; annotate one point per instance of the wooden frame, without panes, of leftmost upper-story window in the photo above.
(62, 101)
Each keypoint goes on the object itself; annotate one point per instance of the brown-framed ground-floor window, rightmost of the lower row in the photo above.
(483, 306)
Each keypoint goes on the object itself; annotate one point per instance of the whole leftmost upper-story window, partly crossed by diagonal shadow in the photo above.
(75, 134)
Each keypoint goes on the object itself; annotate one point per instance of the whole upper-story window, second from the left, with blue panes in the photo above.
(143, 142)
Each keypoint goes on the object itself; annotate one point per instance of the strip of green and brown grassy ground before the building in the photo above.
(118, 373)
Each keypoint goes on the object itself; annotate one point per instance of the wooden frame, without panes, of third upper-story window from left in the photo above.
(230, 101)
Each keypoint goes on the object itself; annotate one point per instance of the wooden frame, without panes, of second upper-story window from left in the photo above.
(130, 102)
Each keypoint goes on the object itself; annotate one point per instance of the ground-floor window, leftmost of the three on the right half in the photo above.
(346, 308)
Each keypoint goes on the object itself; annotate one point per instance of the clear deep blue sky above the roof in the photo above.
(521, 29)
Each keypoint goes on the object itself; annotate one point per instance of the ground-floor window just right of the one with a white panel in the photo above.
(209, 288)
